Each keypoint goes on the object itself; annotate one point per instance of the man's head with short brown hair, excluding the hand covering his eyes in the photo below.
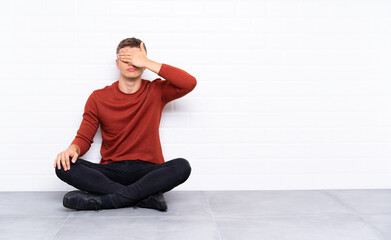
(124, 66)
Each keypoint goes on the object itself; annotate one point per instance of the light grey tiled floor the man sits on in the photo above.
(203, 215)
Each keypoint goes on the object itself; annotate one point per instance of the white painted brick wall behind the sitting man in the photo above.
(291, 94)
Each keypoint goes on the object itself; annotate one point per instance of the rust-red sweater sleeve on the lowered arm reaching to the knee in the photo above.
(88, 126)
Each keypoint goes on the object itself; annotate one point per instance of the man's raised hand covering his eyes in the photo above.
(134, 55)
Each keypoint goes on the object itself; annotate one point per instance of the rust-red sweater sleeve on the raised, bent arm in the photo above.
(178, 82)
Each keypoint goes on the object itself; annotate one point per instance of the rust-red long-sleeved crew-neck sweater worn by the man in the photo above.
(130, 122)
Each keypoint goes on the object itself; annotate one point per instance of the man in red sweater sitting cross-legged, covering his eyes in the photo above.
(132, 170)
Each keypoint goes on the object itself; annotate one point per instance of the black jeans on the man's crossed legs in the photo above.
(127, 182)
